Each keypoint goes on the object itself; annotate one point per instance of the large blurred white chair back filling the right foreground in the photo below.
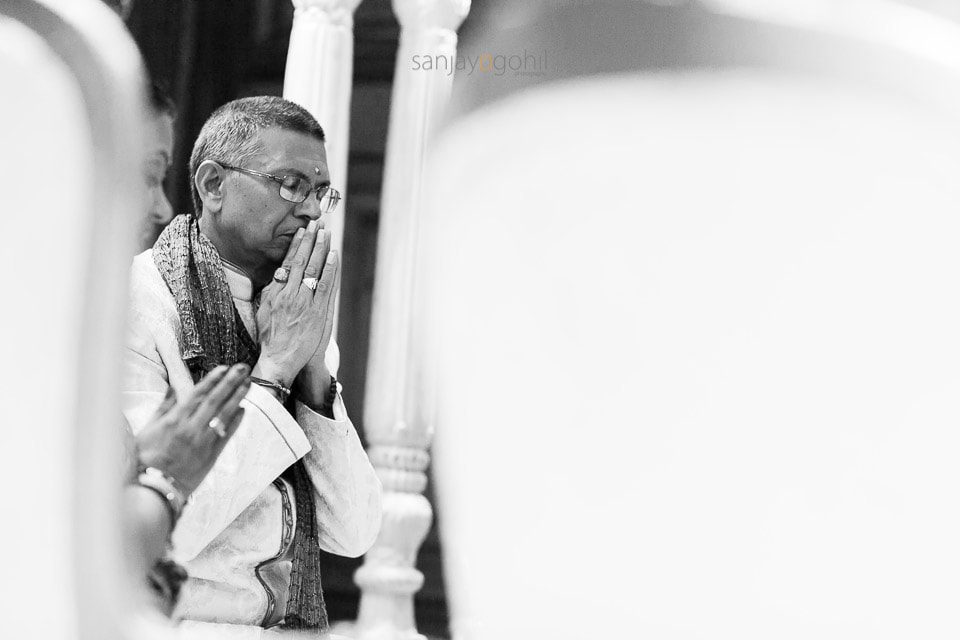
(695, 288)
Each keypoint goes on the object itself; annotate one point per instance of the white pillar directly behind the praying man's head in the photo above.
(319, 77)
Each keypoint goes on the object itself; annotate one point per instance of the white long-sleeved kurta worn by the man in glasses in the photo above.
(234, 520)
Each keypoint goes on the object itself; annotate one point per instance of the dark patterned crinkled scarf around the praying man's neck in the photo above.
(212, 333)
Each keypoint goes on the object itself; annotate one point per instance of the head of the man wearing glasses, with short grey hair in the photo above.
(253, 158)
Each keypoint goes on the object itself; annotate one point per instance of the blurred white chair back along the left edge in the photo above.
(70, 171)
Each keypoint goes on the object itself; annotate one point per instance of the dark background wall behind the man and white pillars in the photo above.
(207, 53)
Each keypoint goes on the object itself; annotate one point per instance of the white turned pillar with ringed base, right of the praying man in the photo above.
(396, 402)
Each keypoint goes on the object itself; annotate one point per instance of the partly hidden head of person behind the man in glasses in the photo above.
(158, 158)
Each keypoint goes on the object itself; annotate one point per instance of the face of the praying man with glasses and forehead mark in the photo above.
(255, 224)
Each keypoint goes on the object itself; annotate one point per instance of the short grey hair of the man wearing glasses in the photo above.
(230, 134)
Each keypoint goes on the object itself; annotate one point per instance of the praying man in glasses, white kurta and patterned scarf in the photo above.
(249, 277)
